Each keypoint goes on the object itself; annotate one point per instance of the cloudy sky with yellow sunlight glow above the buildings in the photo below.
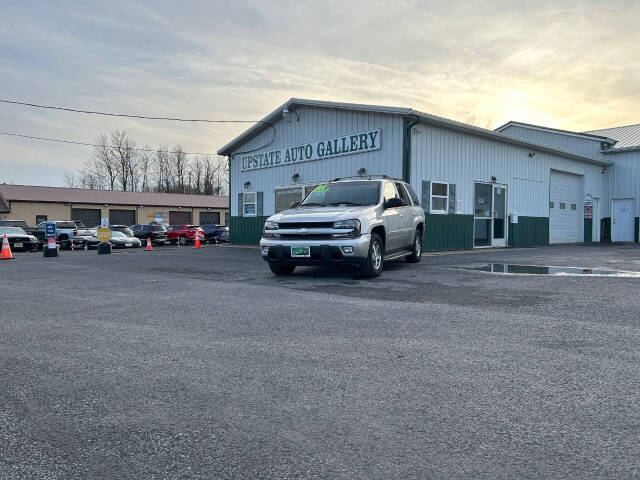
(566, 64)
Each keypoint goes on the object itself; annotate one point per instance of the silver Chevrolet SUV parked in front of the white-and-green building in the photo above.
(364, 221)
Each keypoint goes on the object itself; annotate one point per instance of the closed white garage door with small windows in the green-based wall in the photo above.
(565, 208)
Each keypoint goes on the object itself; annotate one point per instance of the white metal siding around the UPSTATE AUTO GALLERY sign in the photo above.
(317, 124)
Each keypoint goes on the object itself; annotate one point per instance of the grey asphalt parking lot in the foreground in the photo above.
(183, 363)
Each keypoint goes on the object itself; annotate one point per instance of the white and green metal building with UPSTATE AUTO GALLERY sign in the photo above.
(520, 185)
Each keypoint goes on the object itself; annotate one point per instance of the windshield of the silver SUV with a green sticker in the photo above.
(344, 193)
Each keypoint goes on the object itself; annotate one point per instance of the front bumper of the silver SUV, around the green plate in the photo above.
(322, 251)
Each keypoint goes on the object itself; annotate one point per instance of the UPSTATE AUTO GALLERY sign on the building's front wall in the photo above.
(331, 147)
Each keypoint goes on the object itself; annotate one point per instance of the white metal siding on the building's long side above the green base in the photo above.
(439, 154)
